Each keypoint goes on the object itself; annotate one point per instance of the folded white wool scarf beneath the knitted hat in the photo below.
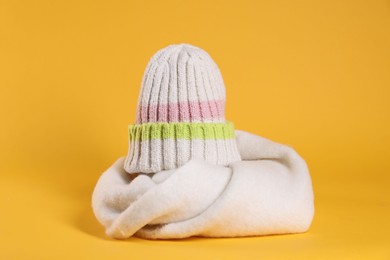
(269, 192)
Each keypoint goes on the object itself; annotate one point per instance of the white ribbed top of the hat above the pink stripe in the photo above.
(181, 73)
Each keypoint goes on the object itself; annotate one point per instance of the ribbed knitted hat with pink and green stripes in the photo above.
(180, 113)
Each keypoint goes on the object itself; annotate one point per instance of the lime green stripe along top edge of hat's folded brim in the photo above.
(186, 131)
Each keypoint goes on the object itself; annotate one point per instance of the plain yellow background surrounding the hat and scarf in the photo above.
(311, 74)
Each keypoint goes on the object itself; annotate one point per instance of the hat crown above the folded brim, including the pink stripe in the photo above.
(181, 83)
